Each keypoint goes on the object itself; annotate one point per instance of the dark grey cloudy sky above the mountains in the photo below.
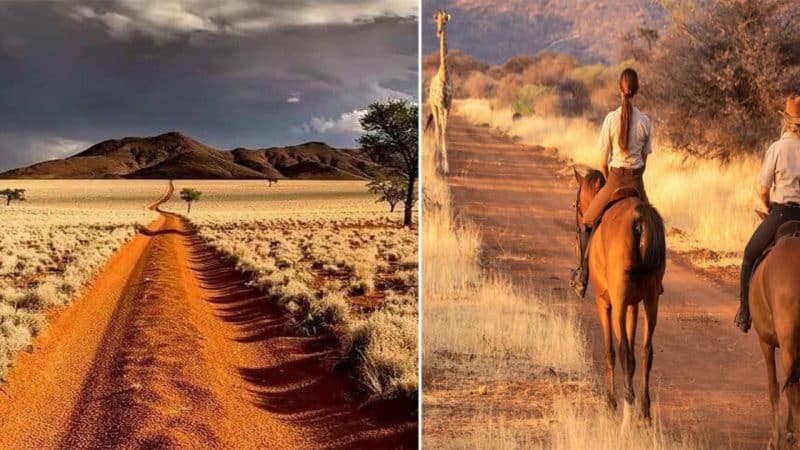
(250, 73)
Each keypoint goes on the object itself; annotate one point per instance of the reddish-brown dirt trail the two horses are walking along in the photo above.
(708, 377)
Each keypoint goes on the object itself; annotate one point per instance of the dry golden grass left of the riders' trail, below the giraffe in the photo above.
(478, 331)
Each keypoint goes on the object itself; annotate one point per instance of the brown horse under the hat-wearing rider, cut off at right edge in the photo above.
(775, 311)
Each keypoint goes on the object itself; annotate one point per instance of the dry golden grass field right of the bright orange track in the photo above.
(333, 257)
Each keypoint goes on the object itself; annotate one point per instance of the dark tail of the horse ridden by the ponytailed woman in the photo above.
(648, 229)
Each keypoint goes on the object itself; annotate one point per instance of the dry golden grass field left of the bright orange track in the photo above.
(53, 243)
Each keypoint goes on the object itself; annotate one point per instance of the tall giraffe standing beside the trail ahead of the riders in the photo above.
(440, 96)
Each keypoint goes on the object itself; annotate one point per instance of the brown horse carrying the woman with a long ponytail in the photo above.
(627, 259)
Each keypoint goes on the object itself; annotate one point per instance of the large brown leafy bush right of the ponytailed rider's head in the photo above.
(722, 72)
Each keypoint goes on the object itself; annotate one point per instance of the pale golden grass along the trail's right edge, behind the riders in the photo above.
(705, 204)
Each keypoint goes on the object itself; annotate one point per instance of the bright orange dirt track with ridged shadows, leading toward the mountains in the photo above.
(169, 348)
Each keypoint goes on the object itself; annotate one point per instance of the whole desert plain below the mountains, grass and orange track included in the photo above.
(282, 315)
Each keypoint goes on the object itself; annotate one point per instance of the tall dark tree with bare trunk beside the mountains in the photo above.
(391, 139)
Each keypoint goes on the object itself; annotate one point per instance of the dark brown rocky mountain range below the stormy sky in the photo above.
(175, 155)
